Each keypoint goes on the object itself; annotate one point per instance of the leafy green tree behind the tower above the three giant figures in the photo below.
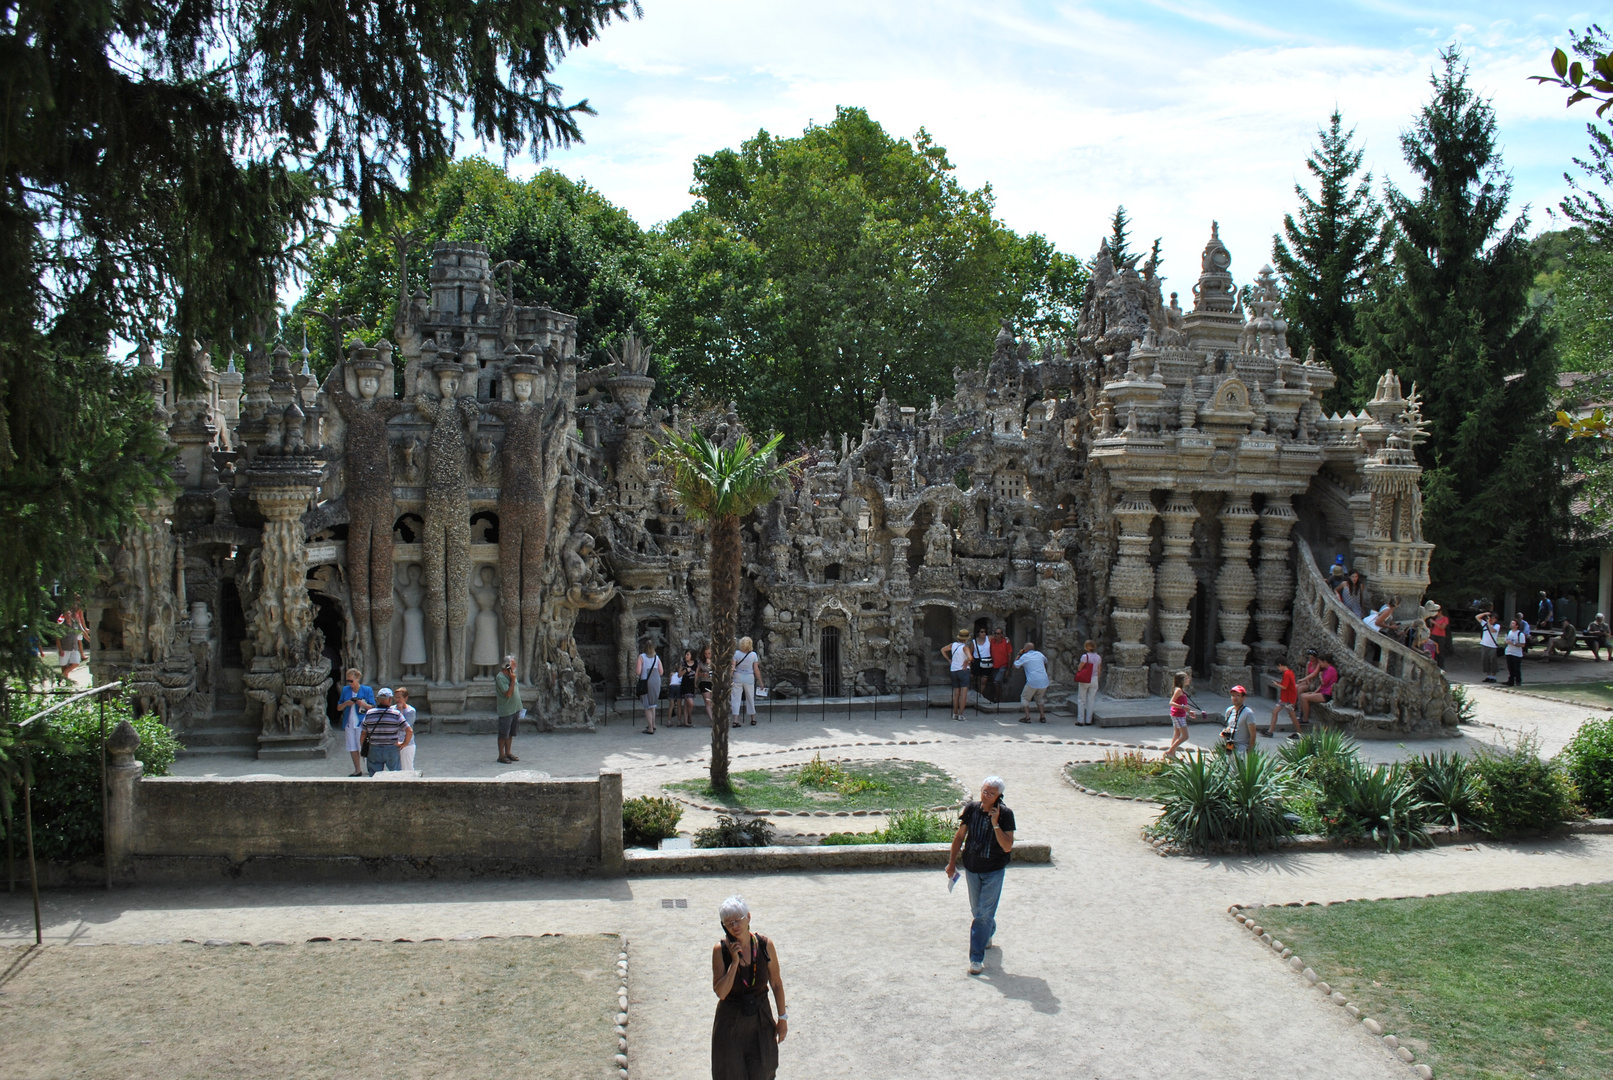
(575, 251)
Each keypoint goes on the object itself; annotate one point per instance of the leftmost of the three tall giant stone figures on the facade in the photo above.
(370, 507)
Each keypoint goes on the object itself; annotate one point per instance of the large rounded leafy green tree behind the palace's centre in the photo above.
(820, 273)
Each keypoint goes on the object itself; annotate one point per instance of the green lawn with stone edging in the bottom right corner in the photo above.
(1480, 986)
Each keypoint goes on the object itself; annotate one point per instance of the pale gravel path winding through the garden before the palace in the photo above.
(1114, 962)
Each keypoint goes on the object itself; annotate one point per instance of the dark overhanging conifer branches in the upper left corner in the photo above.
(164, 165)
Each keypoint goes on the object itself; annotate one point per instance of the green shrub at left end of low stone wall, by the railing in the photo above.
(67, 781)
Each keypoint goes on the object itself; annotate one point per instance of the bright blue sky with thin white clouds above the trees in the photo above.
(1182, 110)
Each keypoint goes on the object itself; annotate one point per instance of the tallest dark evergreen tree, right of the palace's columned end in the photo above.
(1456, 322)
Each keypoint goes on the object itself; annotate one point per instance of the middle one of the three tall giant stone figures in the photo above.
(448, 541)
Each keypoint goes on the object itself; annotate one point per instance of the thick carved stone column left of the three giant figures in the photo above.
(281, 617)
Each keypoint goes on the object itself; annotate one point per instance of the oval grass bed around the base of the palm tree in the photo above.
(833, 786)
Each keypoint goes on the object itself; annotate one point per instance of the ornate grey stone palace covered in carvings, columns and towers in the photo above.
(1165, 486)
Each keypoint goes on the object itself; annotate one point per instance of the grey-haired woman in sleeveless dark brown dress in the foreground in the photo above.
(744, 966)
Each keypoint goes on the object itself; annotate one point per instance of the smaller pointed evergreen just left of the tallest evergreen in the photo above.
(1332, 257)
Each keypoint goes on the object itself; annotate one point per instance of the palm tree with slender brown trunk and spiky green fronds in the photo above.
(722, 486)
